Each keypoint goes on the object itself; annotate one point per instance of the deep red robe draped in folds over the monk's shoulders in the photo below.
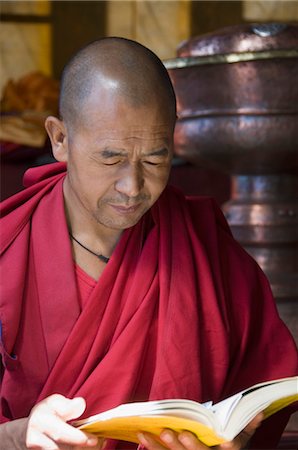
(180, 310)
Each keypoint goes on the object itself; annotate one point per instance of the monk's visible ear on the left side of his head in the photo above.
(58, 136)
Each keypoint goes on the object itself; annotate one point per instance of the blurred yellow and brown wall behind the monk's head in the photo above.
(42, 35)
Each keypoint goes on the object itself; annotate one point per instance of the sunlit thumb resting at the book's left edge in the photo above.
(66, 408)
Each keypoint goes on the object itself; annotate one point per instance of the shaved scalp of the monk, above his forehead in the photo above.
(123, 67)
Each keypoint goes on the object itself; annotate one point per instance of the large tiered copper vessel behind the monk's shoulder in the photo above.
(237, 92)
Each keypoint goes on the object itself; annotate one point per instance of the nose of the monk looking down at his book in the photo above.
(130, 181)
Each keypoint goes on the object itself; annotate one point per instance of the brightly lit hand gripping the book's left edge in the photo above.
(48, 430)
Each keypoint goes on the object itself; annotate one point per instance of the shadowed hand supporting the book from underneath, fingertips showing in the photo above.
(187, 441)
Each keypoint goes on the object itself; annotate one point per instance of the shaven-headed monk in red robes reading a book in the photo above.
(117, 288)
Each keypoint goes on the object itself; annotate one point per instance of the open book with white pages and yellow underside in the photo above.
(213, 424)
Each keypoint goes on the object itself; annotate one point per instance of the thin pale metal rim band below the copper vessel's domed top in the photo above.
(229, 58)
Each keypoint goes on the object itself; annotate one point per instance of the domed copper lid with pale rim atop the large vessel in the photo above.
(238, 43)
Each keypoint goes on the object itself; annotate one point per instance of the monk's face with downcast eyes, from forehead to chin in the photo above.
(118, 160)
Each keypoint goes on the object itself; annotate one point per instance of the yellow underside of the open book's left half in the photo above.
(127, 428)
